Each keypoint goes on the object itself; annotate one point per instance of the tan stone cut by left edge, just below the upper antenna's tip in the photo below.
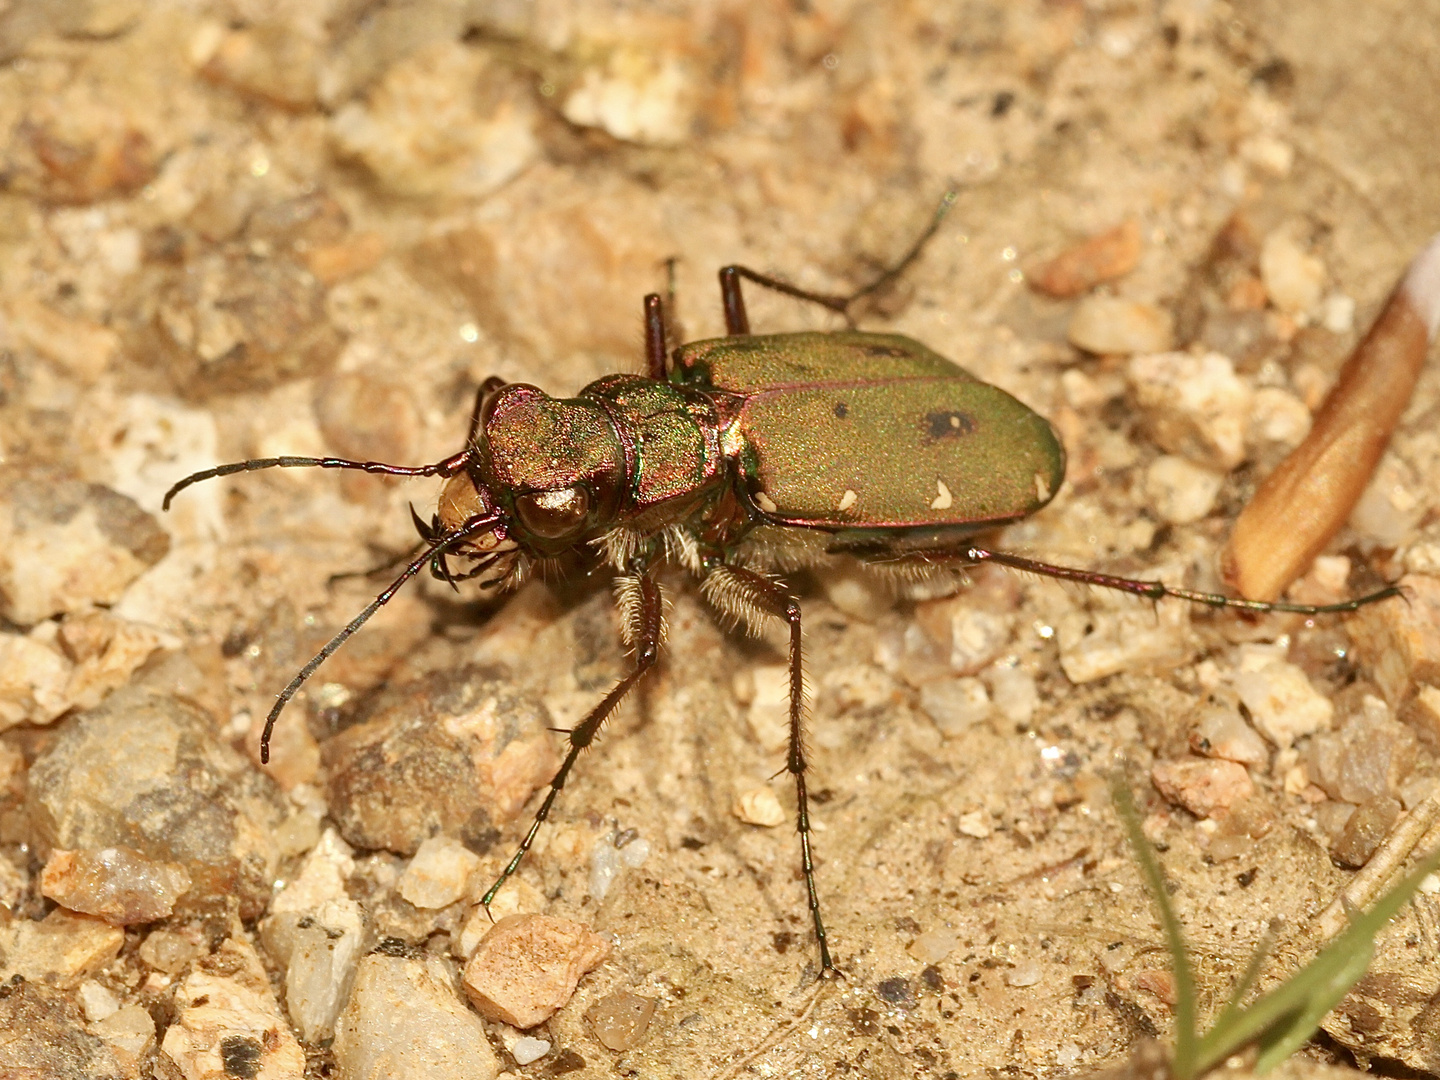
(67, 546)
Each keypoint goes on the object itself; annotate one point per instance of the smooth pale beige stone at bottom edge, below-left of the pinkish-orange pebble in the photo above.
(405, 1023)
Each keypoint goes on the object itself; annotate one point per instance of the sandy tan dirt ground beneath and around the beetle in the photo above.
(256, 228)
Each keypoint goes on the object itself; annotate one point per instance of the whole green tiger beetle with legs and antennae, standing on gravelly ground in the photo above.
(739, 459)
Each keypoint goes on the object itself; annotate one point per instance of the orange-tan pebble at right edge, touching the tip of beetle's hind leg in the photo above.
(1400, 642)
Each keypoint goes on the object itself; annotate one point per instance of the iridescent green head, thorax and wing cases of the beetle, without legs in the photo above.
(862, 436)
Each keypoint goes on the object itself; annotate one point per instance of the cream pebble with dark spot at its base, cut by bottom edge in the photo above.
(230, 1023)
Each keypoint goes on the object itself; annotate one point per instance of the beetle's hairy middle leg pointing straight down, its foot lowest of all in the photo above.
(750, 597)
